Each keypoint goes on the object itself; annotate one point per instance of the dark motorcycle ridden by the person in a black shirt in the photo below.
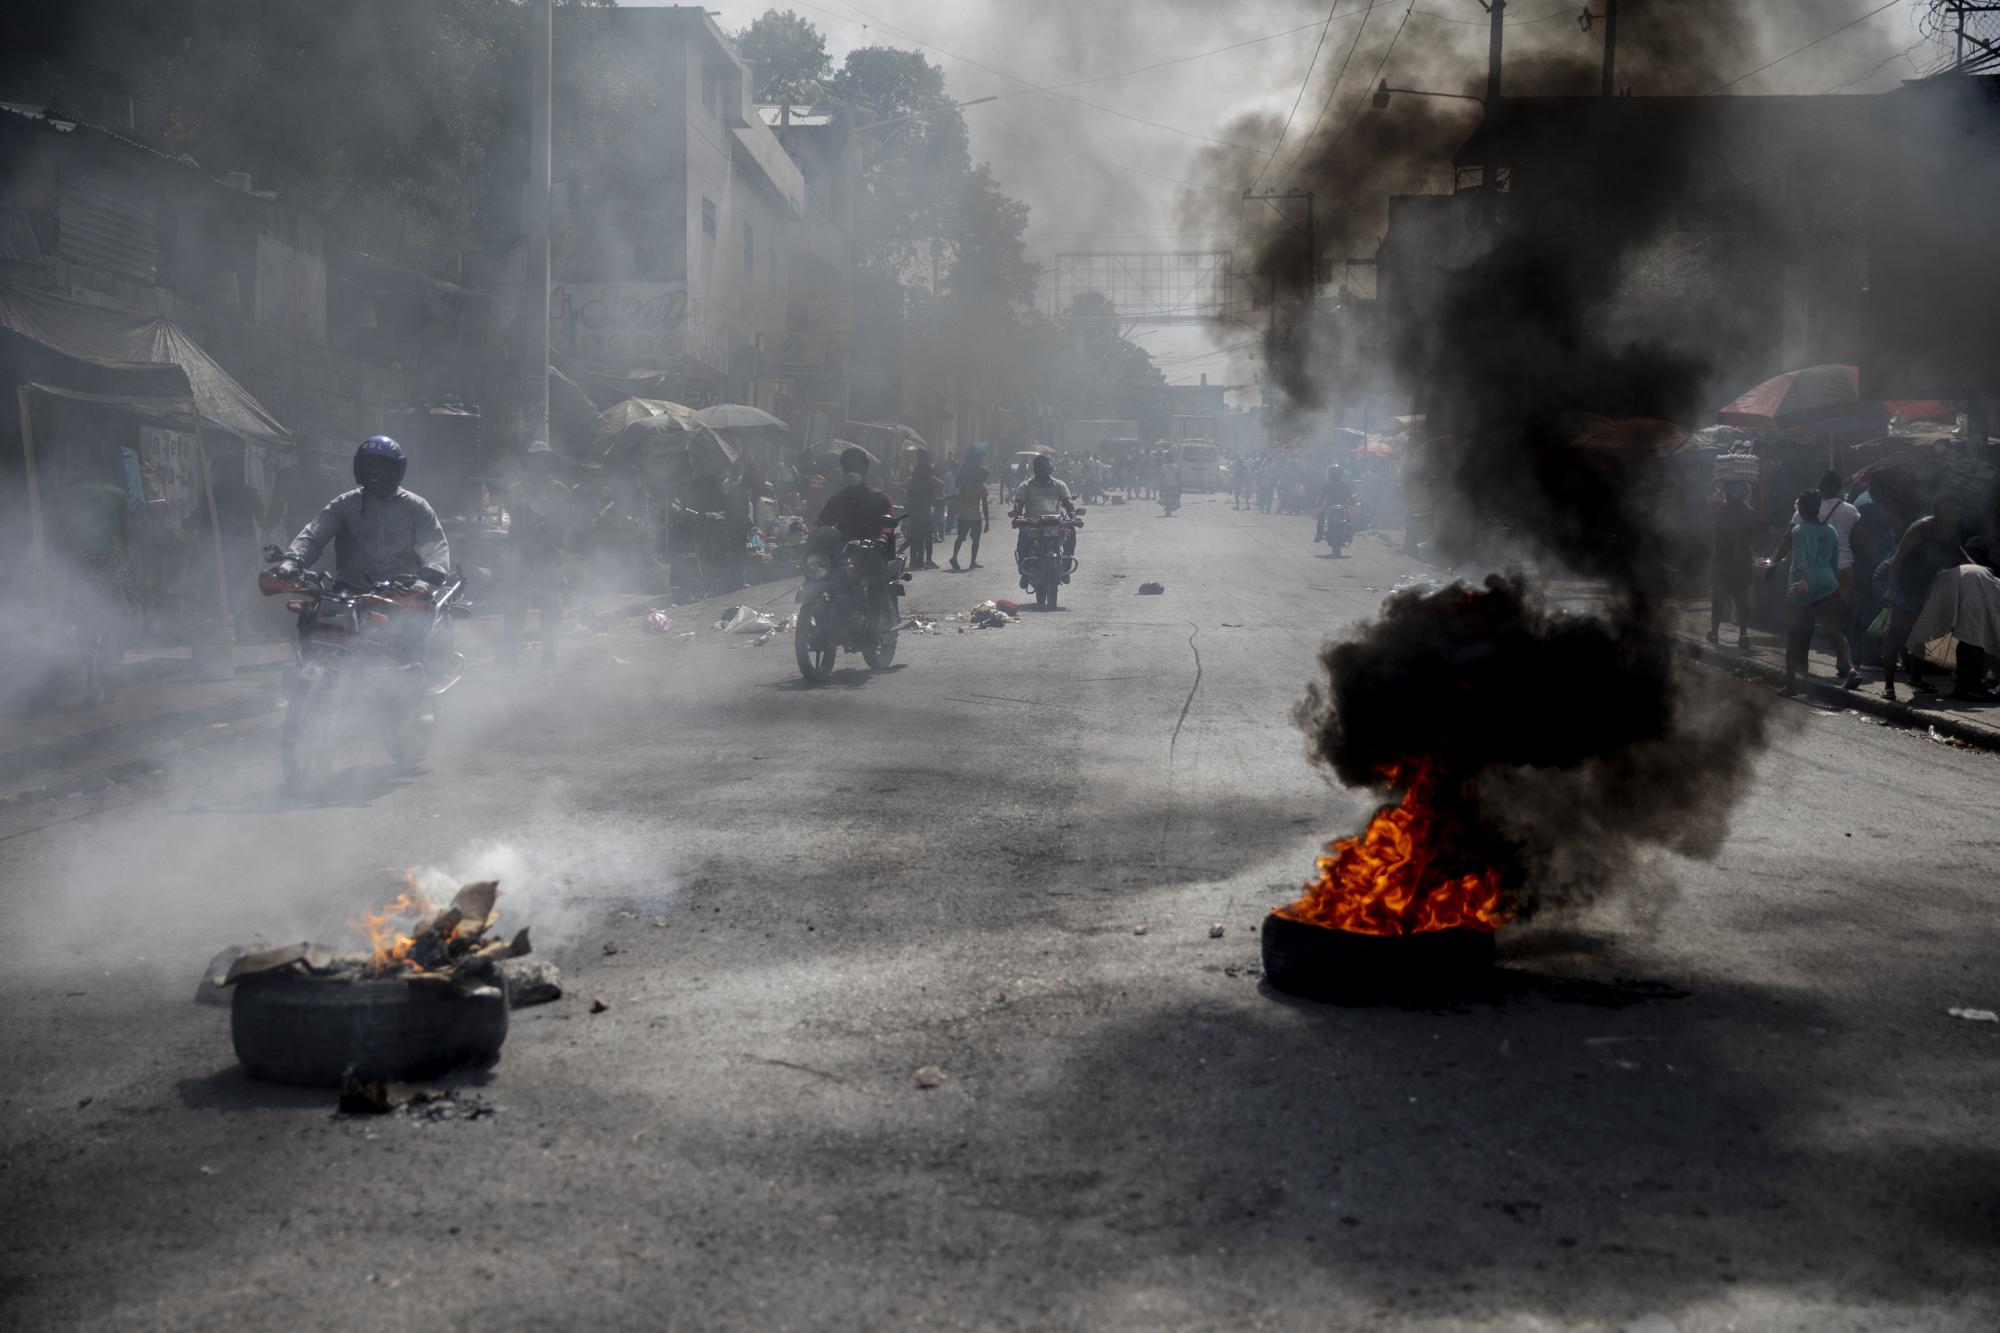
(849, 601)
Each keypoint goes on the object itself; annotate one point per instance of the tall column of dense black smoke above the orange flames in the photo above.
(1569, 748)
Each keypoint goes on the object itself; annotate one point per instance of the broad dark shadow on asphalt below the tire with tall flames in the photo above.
(1523, 1152)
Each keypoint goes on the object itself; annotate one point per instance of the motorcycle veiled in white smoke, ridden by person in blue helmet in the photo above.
(383, 651)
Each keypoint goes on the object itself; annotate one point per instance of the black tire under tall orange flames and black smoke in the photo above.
(1347, 968)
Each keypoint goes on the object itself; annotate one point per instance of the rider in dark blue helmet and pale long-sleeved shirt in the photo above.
(379, 529)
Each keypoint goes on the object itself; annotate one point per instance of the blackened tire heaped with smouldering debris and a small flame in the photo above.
(311, 1032)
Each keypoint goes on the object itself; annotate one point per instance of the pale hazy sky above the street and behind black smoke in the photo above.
(1129, 161)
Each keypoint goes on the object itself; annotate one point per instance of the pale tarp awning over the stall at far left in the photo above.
(127, 341)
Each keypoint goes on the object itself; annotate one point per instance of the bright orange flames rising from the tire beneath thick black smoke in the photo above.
(1397, 878)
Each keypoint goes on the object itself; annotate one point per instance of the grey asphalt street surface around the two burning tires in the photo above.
(1735, 1108)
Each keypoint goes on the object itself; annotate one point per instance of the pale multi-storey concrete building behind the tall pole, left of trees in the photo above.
(677, 207)
